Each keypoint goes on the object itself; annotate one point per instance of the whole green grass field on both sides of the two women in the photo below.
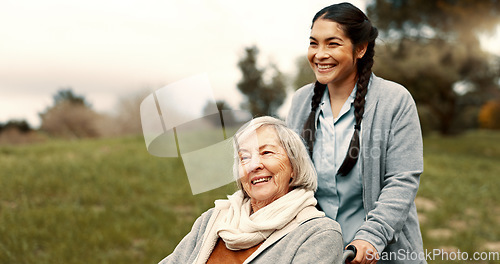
(110, 201)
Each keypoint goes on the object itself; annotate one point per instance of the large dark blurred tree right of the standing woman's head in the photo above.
(432, 47)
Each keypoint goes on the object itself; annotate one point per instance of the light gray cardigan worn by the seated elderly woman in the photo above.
(305, 240)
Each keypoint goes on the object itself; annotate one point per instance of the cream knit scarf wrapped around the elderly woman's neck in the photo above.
(240, 230)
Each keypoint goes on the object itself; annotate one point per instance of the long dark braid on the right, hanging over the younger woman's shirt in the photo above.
(365, 70)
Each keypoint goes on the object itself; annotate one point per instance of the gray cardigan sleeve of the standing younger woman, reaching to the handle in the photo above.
(403, 164)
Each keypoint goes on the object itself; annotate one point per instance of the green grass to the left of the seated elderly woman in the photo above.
(94, 201)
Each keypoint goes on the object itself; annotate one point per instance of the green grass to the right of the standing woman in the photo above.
(462, 180)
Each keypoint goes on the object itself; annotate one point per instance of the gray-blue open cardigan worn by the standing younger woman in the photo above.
(391, 163)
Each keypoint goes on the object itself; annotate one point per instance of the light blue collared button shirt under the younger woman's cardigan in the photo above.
(340, 197)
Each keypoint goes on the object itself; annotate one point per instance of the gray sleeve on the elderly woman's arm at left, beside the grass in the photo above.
(187, 250)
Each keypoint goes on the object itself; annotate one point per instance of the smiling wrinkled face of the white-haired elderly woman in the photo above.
(264, 170)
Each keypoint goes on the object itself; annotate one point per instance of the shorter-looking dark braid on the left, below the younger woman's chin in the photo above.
(309, 130)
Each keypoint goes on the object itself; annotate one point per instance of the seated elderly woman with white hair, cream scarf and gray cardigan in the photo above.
(272, 218)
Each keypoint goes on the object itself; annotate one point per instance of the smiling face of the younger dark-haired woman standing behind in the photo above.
(330, 54)
